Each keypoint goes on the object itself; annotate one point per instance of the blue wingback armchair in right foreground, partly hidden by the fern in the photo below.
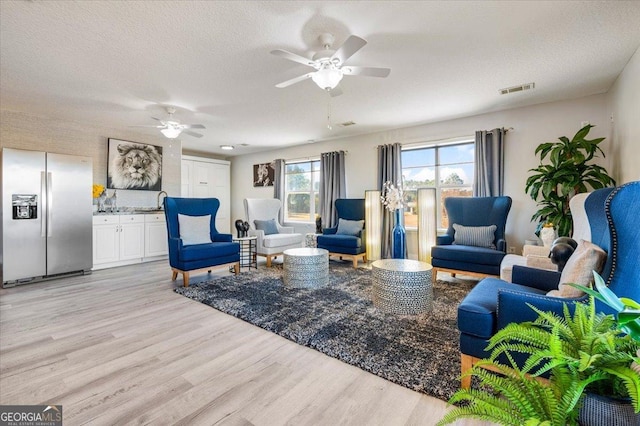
(612, 216)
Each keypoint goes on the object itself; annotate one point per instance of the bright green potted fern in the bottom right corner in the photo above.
(588, 344)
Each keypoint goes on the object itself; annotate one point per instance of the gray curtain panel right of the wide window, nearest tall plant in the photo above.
(488, 179)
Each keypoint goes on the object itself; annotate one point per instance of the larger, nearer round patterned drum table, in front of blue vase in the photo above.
(402, 286)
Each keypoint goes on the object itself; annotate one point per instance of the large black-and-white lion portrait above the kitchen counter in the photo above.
(134, 166)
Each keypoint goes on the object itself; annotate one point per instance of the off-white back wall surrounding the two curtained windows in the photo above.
(531, 126)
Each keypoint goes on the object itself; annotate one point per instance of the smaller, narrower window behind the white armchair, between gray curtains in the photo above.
(302, 182)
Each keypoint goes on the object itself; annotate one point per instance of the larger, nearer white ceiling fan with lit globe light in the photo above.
(330, 64)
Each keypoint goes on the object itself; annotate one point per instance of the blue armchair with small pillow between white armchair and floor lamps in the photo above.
(346, 240)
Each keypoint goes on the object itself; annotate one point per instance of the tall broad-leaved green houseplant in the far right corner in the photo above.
(567, 173)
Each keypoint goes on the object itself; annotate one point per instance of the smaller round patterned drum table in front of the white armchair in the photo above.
(305, 267)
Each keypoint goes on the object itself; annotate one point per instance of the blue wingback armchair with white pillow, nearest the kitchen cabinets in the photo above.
(194, 242)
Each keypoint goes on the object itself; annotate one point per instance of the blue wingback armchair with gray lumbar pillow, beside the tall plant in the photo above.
(474, 243)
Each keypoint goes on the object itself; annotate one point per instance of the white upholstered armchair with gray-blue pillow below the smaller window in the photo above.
(272, 238)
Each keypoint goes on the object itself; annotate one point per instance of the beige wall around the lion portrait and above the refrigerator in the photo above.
(24, 131)
